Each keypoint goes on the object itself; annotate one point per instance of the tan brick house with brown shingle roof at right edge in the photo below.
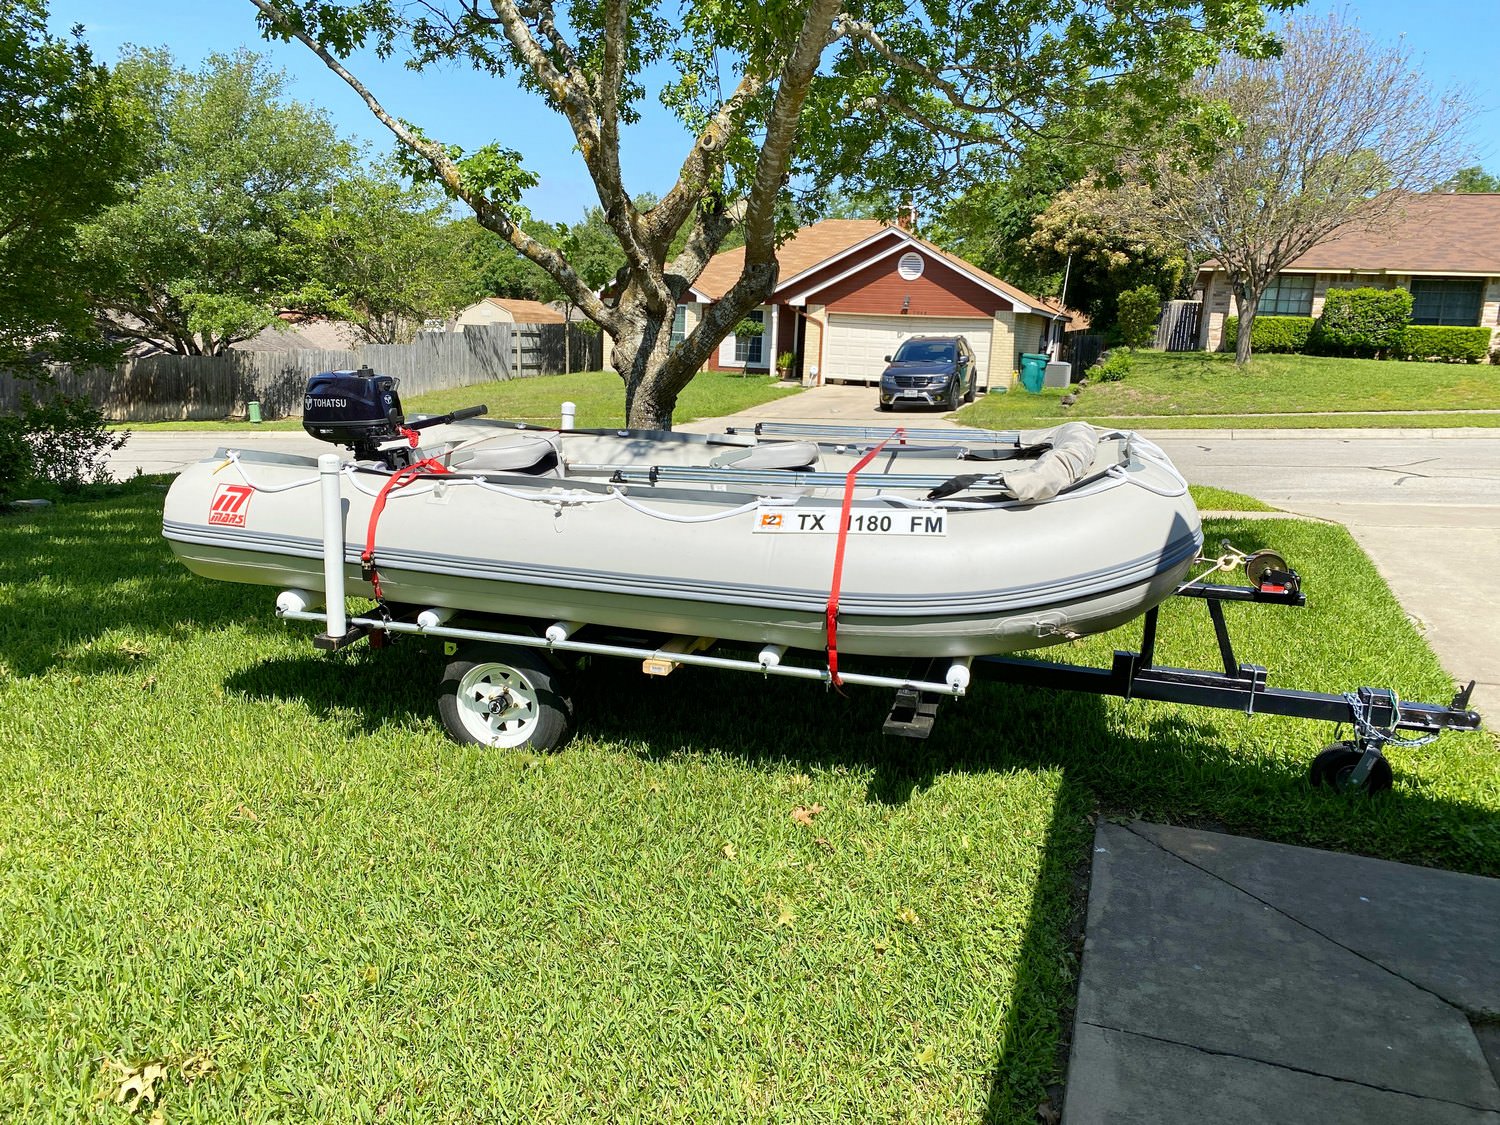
(1444, 248)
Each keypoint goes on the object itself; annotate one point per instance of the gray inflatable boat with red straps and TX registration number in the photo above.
(914, 544)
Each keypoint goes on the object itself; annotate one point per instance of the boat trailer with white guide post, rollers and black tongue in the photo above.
(503, 688)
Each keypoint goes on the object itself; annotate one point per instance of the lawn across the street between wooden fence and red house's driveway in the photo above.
(599, 395)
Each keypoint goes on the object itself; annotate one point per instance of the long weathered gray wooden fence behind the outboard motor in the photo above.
(211, 388)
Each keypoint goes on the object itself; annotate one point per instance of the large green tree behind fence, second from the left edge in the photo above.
(205, 251)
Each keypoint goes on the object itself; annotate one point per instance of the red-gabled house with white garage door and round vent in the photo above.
(851, 290)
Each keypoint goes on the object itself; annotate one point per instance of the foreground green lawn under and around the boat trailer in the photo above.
(226, 851)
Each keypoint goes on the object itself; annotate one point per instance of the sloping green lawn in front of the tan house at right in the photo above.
(1205, 391)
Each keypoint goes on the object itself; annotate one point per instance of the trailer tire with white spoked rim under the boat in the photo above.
(506, 698)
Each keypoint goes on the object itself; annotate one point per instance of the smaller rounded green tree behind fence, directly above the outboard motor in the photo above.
(385, 257)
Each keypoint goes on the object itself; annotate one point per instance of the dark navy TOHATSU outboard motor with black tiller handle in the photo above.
(362, 412)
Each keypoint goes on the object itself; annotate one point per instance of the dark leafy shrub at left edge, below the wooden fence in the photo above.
(61, 442)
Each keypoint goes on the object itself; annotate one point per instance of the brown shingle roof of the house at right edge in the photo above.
(1451, 233)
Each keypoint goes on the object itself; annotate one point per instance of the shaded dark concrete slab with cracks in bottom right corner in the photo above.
(1231, 980)
